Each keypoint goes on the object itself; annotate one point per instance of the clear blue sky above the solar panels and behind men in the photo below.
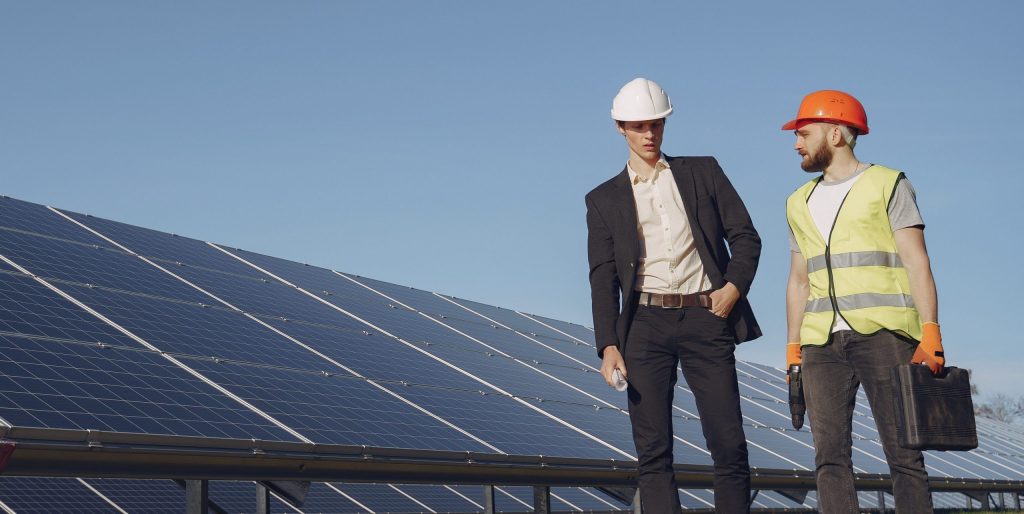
(448, 146)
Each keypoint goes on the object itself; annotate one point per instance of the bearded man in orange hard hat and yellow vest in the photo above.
(861, 297)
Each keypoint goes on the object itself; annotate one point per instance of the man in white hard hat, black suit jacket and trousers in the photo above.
(661, 235)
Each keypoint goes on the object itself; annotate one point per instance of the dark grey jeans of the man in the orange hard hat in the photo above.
(832, 375)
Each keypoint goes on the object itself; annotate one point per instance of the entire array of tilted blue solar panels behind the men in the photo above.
(111, 327)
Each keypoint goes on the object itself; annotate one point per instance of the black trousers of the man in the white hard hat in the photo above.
(703, 344)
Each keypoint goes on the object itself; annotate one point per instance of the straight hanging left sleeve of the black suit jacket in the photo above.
(605, 282)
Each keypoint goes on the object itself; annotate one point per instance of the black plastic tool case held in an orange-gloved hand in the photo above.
(934, 413)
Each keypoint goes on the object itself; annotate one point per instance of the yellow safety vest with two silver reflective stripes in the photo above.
(858, 273)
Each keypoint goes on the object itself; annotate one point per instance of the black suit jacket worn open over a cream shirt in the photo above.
(717, 217)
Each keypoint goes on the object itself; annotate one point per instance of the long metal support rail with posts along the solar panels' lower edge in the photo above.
(92, 454)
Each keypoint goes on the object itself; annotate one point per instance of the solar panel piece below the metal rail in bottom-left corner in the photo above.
(47, 496)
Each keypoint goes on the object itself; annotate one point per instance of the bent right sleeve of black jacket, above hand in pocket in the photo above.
(745, 244)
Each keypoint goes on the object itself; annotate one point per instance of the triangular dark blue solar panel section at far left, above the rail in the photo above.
(89, 376)
